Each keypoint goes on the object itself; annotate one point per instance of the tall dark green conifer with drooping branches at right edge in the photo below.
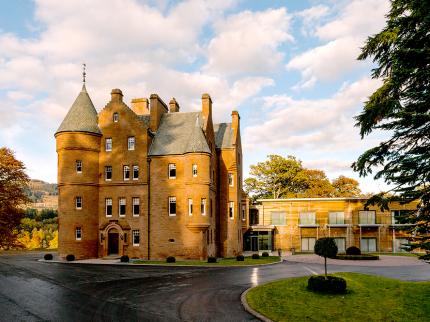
(401, 107)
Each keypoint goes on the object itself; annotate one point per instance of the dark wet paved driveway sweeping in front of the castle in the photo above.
(37, 291)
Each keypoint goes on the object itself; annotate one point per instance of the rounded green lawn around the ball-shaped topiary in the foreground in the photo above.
(369, 298)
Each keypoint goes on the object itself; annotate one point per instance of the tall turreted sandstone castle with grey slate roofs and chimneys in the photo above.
(149, 181)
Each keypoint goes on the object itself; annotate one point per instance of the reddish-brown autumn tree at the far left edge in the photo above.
(13, 181)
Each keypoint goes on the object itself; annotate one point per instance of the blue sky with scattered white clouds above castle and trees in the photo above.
(288, 67)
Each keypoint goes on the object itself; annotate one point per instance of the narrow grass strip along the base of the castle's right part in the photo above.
(221, 262)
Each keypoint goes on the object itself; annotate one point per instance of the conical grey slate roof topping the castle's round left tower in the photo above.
(82, 116)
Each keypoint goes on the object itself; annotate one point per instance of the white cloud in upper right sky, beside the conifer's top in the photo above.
(343, 36)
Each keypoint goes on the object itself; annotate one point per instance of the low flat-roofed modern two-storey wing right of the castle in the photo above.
(297, 223)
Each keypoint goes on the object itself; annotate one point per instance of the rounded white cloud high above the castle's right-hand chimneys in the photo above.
(249, 42)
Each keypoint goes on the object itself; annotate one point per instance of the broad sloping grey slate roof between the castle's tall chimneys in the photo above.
(179, 133)
